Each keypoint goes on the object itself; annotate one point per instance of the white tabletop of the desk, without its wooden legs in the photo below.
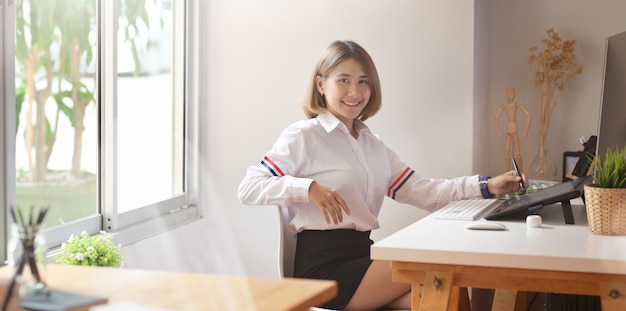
(554, 246)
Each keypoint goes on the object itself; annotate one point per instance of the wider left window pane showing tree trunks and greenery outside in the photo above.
(56, 150)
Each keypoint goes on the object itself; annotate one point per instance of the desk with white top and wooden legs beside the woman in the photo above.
(439, 256)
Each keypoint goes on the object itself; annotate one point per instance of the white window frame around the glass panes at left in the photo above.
(135, 225)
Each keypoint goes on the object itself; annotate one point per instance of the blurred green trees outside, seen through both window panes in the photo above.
(53, 50)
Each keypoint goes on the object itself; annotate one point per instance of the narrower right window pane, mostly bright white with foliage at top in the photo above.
(148, 132)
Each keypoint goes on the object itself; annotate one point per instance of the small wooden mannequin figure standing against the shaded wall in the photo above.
(511, 128)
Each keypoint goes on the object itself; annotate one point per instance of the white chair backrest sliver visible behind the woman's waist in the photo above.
(287, 245)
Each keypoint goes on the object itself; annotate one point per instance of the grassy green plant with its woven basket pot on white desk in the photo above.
(605, 198)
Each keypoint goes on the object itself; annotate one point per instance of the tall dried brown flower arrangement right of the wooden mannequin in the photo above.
(551, 68)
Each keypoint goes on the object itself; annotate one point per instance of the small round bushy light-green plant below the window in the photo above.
(91, 250)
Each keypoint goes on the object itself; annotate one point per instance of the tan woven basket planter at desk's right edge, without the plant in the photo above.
(606, 210)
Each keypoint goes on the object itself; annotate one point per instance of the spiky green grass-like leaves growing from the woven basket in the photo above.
(610, 172)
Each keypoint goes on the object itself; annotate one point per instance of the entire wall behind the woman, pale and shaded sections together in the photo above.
(258, 57)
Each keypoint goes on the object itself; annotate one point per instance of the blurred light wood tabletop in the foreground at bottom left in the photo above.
(189, 291)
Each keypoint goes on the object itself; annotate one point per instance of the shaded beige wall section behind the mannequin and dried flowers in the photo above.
(518, 25)
